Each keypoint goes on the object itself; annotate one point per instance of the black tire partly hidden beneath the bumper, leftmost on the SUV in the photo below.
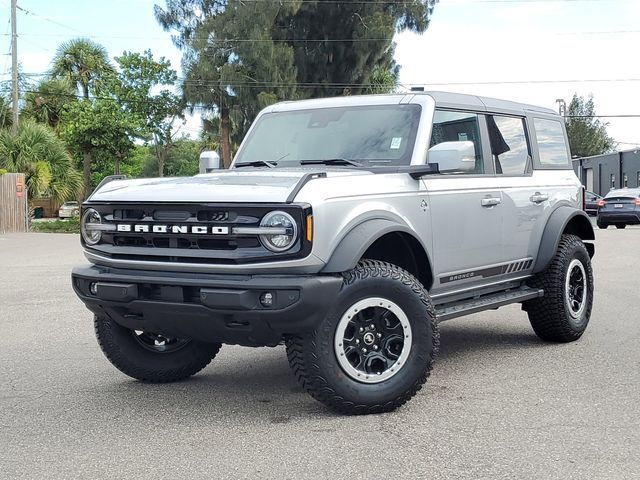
(127, 355)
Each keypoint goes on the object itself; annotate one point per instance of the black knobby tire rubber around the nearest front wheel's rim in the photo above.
(313, 357)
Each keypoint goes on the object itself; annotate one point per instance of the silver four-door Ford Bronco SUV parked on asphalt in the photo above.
(347, 228)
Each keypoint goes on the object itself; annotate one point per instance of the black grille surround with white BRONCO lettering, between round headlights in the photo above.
(218, 249)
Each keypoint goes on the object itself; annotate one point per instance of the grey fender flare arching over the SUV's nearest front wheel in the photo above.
(356, 242)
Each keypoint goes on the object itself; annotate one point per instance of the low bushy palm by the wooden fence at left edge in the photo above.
(36, 151)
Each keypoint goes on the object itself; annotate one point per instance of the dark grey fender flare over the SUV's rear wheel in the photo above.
(560, 219)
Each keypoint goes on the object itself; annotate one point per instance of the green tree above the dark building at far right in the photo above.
(587, 134)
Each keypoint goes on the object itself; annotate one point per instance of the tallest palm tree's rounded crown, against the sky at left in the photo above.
(84, 63)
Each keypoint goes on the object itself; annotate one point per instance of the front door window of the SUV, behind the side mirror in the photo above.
(449, 126)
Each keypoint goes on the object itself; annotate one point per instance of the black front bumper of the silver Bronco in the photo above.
(211, 308)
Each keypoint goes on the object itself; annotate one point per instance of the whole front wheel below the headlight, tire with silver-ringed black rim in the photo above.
(375, 349)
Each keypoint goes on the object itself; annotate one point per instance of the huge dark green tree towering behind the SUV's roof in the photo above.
(242, 56)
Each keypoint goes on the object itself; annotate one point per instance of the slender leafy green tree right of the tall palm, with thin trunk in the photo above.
(139, 76)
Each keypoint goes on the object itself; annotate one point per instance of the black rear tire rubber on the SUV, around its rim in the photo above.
(549, 315)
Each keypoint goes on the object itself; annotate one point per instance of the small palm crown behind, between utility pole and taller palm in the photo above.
(45, 103)
